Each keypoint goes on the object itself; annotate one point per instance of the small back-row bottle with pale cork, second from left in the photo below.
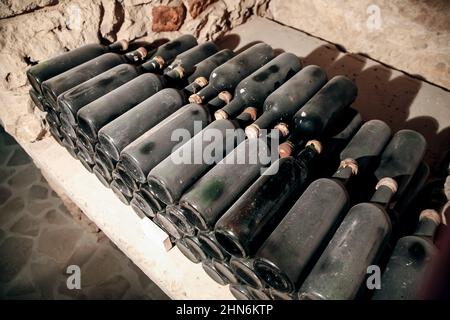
(184, 63)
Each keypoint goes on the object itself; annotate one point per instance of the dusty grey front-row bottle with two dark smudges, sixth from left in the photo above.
(153, 146)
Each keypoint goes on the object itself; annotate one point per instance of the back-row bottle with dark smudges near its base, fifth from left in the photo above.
(253, 90)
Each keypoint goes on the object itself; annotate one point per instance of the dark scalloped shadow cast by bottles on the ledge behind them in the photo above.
(379, 96)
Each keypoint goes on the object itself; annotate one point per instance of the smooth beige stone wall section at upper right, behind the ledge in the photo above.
(410, 35)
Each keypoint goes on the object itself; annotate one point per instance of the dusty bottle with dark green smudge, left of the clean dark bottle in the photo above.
(213, 193)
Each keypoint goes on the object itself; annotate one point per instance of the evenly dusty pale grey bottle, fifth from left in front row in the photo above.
(120, 132)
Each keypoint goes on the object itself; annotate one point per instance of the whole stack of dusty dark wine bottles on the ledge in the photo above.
(315, 194)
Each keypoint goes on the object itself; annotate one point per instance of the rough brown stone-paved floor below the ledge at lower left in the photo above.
(40, 238)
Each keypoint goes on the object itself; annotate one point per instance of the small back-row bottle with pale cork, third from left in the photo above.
(202, 70)
